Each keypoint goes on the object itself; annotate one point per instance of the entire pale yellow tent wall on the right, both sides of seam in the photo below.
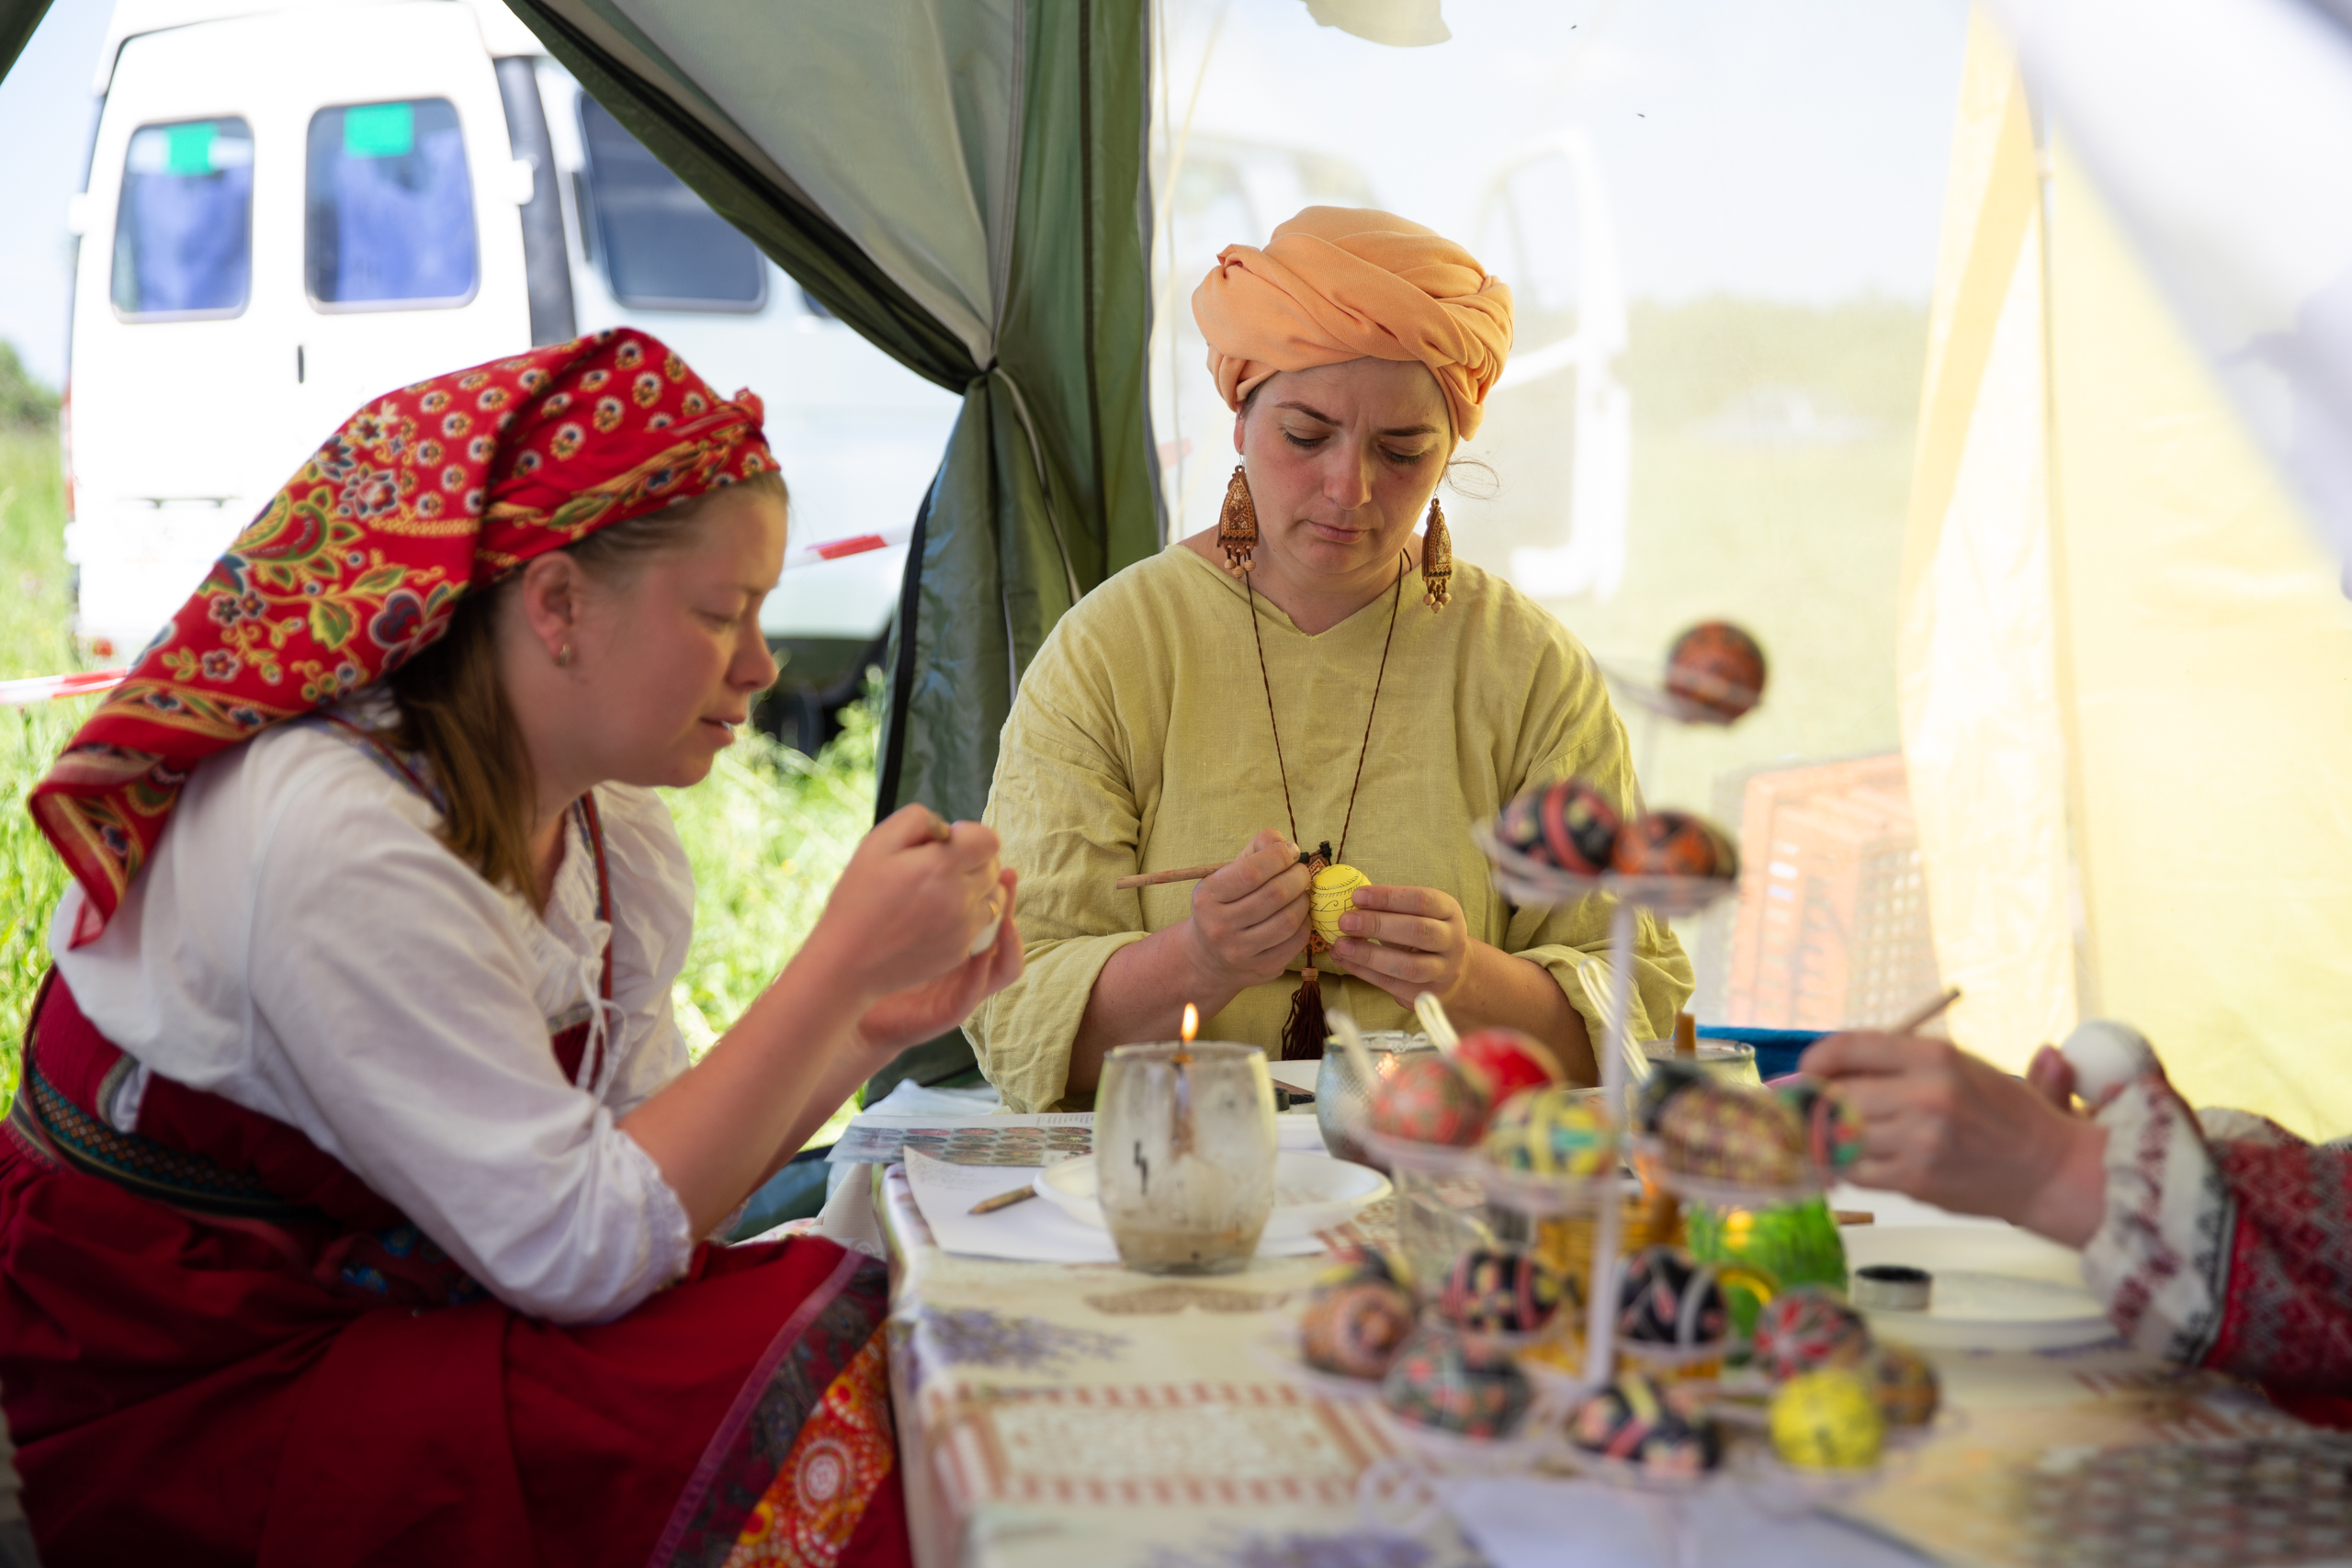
(2125, 657)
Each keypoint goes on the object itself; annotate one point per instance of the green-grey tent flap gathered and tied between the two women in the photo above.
(963, 182)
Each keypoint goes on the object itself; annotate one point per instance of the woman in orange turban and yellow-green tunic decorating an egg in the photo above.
(1311, 678)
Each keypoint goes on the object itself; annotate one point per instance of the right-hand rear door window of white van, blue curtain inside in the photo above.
(389, 208)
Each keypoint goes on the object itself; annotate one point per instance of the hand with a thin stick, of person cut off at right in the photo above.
(1958, 1132)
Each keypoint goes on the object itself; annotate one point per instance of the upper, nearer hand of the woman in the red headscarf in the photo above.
(909, 906)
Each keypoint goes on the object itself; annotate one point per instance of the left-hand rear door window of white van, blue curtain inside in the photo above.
(185, 229)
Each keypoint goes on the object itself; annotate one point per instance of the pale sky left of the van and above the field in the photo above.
(1782, 149)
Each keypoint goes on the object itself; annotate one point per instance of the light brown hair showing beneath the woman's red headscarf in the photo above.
(457, 716)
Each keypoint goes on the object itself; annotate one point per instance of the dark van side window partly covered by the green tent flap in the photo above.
(660, 243)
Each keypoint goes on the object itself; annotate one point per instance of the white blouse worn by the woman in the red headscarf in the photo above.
(302, 946)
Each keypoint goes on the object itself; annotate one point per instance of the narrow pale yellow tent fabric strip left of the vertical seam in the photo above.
(1977, 638)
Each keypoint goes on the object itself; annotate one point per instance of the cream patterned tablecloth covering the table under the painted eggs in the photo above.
(1088, 1416)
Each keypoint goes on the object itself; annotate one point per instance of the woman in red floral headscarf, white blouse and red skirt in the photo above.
(352, 1205)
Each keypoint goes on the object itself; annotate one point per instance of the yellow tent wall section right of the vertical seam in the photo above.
(2212, 669)
